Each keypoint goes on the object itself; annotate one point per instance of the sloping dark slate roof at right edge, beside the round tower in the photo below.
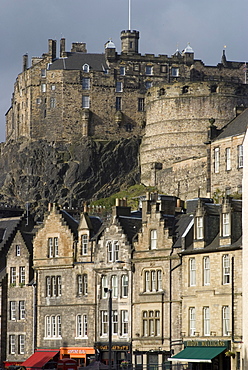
(236, 127)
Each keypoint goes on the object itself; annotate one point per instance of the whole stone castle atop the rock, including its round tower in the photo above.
(102, 95)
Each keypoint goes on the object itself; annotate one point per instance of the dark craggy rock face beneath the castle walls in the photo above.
(39, 172)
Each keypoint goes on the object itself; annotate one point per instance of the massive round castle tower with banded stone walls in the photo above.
(178, 120)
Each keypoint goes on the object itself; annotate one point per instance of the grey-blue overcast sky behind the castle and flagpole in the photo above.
(164, 25)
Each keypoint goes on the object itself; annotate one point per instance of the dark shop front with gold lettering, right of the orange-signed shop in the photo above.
(121, 353)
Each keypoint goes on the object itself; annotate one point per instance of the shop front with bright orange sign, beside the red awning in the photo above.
(83, 355)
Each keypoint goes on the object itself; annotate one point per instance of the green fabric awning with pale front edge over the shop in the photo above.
(197, 354)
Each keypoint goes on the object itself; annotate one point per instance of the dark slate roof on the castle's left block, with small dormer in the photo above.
(75, 61)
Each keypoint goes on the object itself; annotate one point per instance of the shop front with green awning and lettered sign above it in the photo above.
(204, 355)
